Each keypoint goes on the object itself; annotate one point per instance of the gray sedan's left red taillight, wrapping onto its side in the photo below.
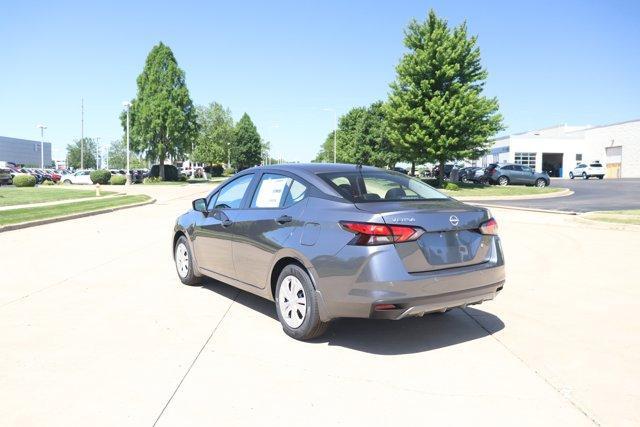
(381, 234)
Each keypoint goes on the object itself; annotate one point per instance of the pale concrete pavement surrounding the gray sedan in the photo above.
(97, 330)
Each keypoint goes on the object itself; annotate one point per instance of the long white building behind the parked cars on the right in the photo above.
(559, 149)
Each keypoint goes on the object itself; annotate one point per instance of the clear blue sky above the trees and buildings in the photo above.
(286, 62)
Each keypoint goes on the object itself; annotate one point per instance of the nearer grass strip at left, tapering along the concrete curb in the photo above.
(14, 216)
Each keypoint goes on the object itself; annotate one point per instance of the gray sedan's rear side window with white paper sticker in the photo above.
(277, 191)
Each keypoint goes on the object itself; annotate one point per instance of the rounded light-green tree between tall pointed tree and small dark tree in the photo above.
(215, 134)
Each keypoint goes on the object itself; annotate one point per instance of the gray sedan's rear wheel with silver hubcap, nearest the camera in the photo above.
(299, 320)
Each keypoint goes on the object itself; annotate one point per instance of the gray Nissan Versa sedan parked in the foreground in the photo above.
(326, 241)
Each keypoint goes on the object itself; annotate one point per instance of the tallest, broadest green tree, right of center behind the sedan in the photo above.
(436, 110)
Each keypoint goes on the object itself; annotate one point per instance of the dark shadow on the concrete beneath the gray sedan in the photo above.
(385, 337)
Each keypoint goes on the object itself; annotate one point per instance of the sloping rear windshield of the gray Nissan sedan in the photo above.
(378, 185)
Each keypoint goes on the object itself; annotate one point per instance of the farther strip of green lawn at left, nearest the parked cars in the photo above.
(11, 196)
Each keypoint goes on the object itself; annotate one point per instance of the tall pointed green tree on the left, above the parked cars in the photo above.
(163, 118)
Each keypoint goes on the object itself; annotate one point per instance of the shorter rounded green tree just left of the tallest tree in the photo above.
(362, 139)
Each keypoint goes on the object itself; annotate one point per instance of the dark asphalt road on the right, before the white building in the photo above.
(589, 195)
